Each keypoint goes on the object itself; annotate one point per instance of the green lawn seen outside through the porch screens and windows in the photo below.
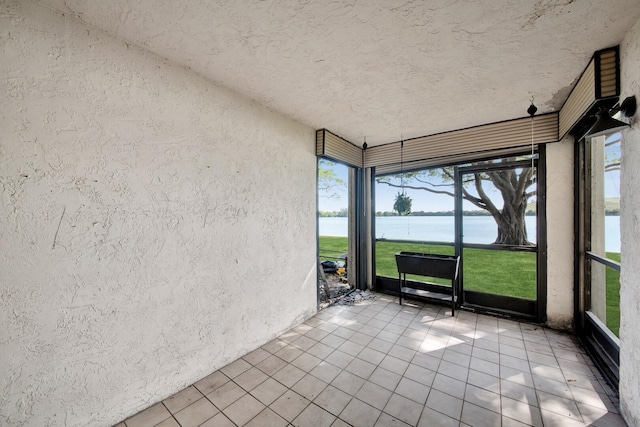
(497, 272)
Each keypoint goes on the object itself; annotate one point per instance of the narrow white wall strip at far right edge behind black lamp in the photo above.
(630, 234)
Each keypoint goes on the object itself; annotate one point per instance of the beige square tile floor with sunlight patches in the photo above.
(381, 364)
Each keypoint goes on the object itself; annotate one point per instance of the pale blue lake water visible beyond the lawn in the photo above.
(477, 229)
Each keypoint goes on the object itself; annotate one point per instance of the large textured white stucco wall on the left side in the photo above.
(153, 226)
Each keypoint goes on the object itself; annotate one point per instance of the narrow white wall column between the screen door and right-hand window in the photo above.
(560, 200)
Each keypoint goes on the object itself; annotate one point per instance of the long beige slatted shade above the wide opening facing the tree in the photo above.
(502, 138)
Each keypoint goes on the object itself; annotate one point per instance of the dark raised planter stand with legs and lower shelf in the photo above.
(431, 265)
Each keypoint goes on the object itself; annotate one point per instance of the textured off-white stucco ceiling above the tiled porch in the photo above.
(377, 68)
